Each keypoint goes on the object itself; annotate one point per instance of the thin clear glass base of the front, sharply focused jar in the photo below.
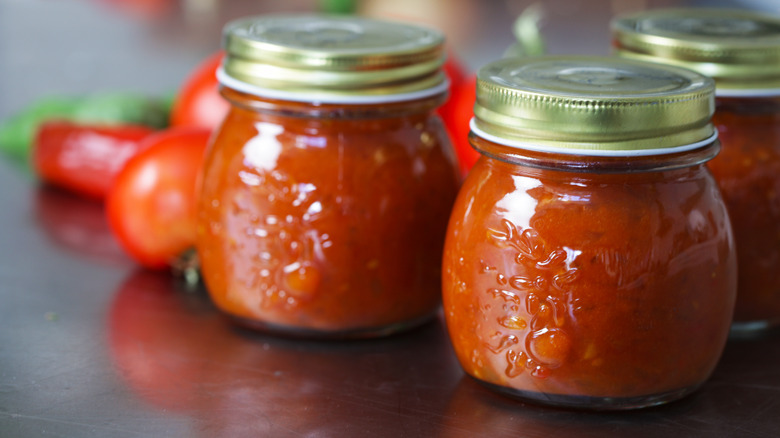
(589, 402)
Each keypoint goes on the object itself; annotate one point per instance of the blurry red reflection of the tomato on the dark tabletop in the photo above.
(165, 340)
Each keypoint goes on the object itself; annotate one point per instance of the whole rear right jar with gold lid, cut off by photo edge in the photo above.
(741, 51)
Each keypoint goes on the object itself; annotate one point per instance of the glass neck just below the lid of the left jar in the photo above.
(316, 110)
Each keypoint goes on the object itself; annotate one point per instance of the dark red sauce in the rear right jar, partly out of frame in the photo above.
(748, 172)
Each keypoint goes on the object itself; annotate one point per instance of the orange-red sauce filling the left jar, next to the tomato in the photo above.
(327, 219)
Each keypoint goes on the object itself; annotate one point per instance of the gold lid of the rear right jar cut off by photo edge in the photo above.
(739, 49)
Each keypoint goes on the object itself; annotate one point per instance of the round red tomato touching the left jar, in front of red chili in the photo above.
(151, 207)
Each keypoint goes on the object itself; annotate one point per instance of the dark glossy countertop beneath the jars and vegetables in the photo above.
(91, 345)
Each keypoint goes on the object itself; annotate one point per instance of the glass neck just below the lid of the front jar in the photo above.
(594, 164)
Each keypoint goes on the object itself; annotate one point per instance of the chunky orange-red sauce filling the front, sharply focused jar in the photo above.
(596, 288)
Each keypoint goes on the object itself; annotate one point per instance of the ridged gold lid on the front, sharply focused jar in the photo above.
(593, 105)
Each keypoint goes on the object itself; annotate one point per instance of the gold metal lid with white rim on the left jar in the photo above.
(332, 58)
